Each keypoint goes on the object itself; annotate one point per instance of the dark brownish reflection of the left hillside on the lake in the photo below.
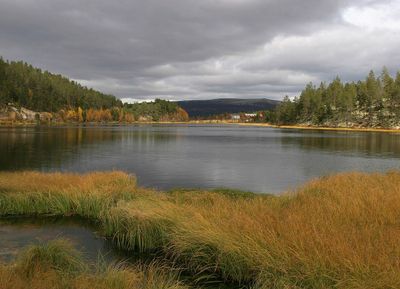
(44, 147)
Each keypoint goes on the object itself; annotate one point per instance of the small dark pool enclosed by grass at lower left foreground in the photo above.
(18, 233)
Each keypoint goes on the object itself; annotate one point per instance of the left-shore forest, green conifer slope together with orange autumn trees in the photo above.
(25, 86)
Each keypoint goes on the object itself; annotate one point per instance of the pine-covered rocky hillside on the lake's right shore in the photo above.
(373, 102)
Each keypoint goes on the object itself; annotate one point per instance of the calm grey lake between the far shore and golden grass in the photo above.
(250, 158)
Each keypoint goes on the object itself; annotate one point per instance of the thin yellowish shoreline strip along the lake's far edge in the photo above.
(216, 122)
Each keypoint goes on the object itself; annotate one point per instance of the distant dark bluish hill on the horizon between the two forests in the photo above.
(203, 108)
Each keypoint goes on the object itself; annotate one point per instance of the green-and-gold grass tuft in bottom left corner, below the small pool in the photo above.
(57, 265)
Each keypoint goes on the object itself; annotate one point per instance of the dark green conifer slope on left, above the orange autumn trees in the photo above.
(30, 87)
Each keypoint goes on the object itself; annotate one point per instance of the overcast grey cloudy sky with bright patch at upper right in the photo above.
(202, 49)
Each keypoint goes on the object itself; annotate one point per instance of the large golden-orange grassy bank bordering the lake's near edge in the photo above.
(341, 231)
